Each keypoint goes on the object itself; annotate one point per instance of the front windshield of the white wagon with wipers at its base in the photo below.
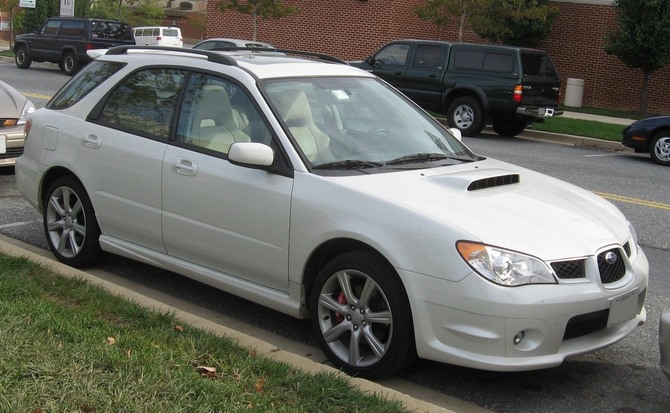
(360, 124)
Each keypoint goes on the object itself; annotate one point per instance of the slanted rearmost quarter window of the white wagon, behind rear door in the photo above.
(86, 80)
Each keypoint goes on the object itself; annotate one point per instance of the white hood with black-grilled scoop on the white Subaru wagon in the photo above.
(505, 205)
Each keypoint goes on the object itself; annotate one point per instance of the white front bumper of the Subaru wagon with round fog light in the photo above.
(473, 323)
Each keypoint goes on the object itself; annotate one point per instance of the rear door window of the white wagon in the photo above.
(145, 102)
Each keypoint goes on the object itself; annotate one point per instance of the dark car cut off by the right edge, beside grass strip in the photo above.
(650, 135)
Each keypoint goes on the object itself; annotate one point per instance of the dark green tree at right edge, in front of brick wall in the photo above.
(642, 38)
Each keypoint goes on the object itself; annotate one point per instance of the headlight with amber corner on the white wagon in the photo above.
(505, 267)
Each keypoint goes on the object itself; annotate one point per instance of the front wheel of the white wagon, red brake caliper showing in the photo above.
(368, 337)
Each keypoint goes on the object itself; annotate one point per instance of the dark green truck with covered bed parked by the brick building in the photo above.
(474, 85)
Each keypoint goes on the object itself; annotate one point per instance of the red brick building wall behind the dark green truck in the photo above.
(353, 29)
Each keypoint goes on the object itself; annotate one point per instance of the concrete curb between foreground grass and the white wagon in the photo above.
(13, 247)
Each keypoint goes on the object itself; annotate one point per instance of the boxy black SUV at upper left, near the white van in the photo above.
(65, 40)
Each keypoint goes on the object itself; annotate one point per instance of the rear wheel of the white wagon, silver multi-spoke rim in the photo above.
(70, 226)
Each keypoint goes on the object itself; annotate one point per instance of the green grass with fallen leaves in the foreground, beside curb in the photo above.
(66, 345)
